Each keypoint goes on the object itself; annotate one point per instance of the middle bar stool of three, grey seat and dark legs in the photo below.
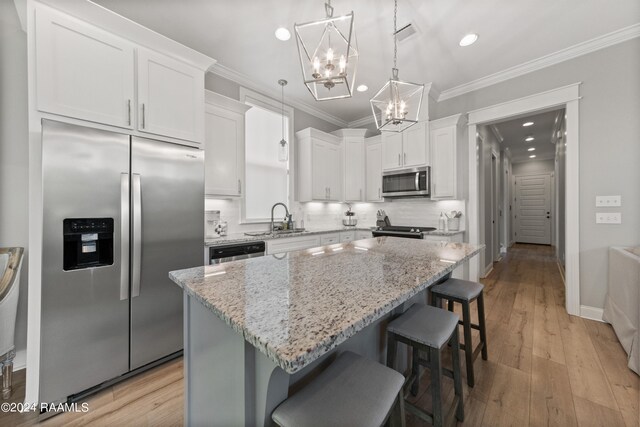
(429, 329)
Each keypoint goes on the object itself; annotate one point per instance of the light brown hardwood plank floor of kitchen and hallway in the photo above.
(545, 368)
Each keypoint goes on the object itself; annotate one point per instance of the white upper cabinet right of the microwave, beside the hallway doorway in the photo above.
(447, 150)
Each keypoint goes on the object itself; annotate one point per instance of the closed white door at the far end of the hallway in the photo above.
(533, 209)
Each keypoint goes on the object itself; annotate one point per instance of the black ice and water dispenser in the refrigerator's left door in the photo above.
(88, 242)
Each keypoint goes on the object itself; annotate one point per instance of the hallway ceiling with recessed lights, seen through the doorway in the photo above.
(514, 134)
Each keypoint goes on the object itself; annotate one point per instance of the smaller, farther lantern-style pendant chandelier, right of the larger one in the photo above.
(396, 106)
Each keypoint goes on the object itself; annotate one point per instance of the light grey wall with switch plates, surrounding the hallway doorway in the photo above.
(609, 150)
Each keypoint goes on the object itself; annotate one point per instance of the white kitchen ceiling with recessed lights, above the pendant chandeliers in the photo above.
(240, 36)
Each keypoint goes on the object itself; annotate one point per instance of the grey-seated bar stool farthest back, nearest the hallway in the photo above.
(465, 292)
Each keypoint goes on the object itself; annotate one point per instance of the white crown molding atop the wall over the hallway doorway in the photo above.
(574, 51)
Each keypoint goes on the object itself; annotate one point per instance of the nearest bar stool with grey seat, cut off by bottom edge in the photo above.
(352, 392)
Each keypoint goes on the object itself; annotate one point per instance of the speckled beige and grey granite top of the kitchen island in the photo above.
(296, 307)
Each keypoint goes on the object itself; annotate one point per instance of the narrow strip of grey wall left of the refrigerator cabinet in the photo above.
(14, 153)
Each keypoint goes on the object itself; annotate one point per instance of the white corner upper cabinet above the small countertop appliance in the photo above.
(354, 164)
